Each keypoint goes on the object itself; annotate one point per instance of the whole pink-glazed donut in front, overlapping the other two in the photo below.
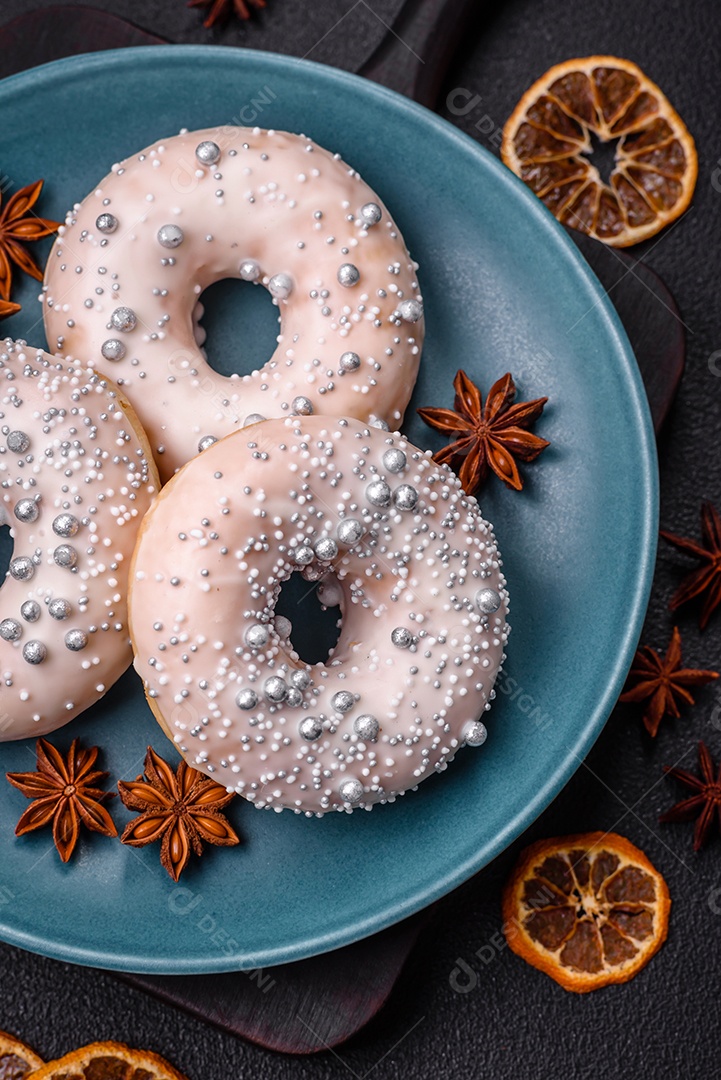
(410, 559)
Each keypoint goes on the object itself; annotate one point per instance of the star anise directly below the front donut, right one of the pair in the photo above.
(182, 808)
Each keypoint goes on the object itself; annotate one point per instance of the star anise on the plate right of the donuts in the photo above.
(487, 437)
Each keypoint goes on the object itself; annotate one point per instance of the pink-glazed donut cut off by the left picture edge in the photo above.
(77, 478)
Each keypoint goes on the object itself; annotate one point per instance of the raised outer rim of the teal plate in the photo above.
(648, 523)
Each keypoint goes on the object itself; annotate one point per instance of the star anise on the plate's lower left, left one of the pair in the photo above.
(64, 792)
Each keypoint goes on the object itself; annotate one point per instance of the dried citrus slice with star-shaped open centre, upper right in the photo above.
(548, 138)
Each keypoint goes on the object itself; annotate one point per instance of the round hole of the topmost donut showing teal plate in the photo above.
(241, 327)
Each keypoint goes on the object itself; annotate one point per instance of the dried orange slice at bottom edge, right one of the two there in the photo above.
(108, 1061)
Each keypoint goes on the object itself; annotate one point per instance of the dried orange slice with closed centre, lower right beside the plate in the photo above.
(588, 910)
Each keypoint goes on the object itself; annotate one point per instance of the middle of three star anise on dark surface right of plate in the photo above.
(662, 683)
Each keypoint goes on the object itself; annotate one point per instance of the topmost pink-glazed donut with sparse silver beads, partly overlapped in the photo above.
(129, 267)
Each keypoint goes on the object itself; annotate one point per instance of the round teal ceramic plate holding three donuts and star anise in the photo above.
(505, 291)
